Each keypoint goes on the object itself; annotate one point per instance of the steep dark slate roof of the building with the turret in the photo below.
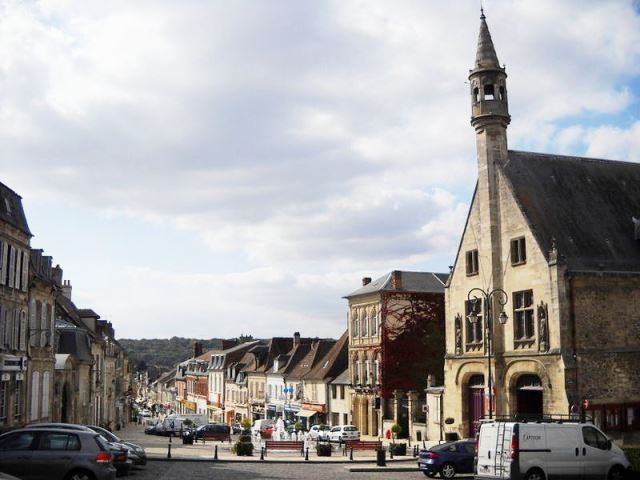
(584, 205)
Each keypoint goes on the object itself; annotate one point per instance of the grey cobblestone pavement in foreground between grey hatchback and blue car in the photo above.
(183, 470)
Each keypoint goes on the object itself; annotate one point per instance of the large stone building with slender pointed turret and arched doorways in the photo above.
(546, 282)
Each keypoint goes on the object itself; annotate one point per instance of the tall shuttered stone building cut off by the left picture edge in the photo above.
(14, 305)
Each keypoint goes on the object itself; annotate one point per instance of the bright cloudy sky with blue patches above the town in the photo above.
(211, 169)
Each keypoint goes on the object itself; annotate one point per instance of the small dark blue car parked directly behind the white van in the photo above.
(447, 459)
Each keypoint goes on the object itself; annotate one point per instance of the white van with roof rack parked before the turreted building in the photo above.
(547, 450)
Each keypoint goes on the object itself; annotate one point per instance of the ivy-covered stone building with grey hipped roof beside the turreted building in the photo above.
(397, 316)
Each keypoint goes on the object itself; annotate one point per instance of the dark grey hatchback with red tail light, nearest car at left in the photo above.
(56, 454)
